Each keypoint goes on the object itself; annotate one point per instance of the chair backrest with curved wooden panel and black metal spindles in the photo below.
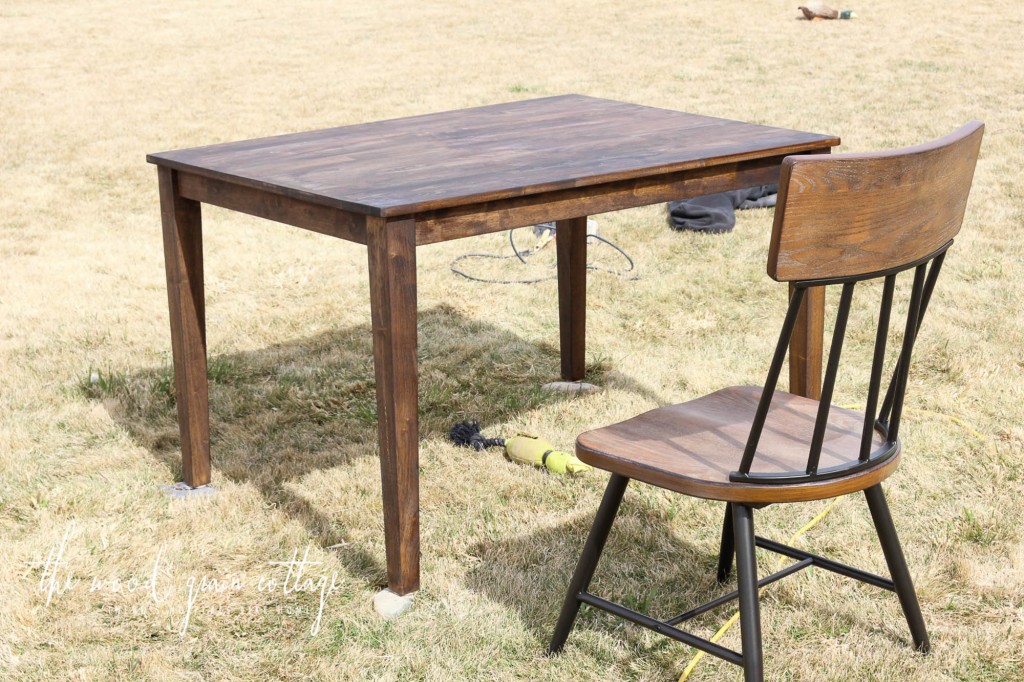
(846, 219)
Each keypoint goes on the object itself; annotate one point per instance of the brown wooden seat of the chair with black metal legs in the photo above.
(694, 447)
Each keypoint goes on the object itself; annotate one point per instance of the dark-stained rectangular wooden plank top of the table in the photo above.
(465, 157)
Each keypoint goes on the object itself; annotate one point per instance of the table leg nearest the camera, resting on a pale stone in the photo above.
(392, 250)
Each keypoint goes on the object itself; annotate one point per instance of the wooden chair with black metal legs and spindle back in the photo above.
(841, 221)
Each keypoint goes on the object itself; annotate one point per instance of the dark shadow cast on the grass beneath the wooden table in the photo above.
(282, 412)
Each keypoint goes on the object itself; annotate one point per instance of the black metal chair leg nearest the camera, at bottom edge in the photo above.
(750, 609)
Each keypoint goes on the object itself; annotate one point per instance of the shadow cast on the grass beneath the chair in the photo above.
(646, 567)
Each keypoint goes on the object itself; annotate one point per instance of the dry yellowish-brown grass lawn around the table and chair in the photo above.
(88, 90)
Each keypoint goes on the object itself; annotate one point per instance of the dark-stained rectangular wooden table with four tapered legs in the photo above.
(396, 185)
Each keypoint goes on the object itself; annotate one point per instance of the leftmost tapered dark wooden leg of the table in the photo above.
(184, 261)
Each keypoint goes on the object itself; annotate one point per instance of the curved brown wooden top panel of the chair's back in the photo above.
(854, 215)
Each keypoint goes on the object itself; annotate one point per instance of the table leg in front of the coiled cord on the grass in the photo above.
(571, 240)
